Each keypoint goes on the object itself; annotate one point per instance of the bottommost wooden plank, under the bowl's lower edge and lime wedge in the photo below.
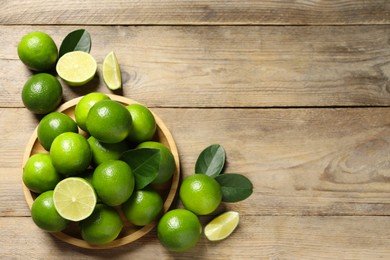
(257, 237)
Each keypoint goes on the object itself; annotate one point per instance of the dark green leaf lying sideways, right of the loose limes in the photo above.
(235, 187)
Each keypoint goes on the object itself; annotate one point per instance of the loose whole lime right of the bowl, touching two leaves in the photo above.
(200, 193)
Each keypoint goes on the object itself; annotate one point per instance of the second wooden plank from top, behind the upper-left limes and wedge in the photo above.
(257, 67)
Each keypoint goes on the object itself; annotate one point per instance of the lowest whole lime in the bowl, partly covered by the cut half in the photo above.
(102, 227)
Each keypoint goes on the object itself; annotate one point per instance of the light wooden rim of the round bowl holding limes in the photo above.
(161, 127)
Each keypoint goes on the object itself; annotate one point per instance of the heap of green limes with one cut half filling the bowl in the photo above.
(81, 177)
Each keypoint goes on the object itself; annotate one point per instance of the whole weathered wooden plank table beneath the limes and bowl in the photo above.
(297, 92)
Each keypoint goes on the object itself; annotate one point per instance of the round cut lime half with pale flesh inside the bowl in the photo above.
(74, 198)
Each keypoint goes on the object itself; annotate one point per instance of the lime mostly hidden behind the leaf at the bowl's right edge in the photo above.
(167, 161)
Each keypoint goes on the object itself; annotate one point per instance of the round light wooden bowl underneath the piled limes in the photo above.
(129, 232)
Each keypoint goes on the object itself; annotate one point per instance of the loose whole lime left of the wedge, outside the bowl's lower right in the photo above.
(179, 230)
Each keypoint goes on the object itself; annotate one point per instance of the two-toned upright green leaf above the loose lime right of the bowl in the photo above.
(211, 161)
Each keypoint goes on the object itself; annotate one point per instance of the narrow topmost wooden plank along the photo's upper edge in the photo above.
(195, 12)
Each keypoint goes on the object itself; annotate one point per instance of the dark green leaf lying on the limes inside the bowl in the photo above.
(144, 163)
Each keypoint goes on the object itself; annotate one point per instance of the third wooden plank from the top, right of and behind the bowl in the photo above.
(301, 161)
